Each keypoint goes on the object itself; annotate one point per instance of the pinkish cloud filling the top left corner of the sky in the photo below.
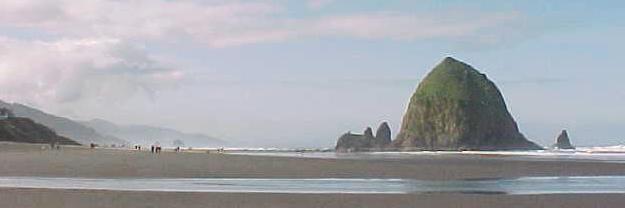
(137, 19)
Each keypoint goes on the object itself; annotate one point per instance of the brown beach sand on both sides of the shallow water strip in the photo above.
(30, 160)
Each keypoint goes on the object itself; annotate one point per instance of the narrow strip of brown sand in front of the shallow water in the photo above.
(26, 198)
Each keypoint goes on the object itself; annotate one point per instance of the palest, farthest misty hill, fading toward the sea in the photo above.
(142, 134)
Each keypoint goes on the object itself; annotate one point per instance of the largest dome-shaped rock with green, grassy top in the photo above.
(458, 108)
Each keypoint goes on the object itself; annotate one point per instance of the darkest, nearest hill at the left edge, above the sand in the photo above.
(25, 130)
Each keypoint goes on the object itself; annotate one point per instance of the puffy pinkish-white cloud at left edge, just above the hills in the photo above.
(72, 70)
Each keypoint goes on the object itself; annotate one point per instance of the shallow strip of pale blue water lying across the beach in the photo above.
(515, 186)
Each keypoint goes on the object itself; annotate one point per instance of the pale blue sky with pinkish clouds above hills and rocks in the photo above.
(278, 73)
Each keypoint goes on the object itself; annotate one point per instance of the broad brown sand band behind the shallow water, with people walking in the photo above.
(85, 162)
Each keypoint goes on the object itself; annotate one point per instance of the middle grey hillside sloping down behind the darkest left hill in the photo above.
(63, 126)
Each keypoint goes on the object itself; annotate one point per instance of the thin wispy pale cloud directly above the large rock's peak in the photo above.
(397, 26)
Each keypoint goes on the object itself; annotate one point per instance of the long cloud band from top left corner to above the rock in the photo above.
(234, 23)
